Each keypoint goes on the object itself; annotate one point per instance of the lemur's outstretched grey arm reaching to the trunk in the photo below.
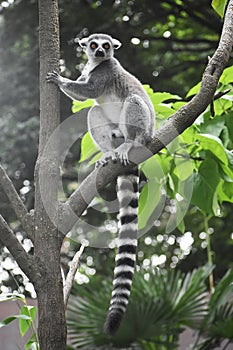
(81, 90)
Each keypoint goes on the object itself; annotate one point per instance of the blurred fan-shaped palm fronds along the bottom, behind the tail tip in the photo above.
(161, 305)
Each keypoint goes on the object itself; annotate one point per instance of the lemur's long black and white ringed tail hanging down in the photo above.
(127, 193)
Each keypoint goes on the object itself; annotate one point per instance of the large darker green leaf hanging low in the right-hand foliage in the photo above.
(205, 183)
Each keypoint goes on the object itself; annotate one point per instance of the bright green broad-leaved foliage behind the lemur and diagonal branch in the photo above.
(197, 165)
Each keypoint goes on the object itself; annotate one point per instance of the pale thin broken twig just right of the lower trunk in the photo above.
(74, 264)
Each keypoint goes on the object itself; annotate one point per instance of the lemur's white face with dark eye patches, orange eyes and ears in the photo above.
(99, 46)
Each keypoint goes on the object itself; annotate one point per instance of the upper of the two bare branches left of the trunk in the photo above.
(16, 203)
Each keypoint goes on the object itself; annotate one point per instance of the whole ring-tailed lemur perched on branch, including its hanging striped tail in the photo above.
(121, 118)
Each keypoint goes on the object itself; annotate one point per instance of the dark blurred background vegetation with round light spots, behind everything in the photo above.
(166, 44)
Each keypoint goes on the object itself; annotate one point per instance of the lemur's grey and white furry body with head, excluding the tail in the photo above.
(125, 108)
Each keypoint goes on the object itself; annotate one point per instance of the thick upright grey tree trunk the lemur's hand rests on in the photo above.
(47, 244)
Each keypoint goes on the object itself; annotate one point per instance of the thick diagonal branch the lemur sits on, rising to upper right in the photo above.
(174, 126)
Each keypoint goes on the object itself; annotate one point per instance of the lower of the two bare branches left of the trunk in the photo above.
(8, 239)
